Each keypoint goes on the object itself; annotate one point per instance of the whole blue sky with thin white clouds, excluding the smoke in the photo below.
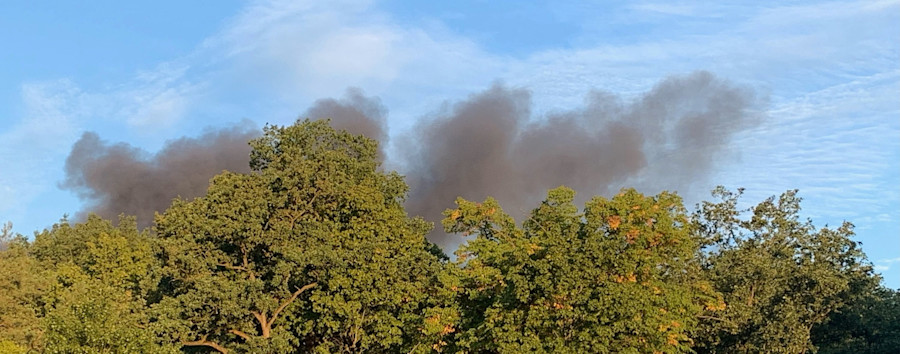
(145, 72)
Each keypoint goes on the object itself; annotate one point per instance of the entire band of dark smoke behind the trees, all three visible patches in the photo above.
(487, 145)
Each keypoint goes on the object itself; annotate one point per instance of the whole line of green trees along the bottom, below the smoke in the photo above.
(313, 251)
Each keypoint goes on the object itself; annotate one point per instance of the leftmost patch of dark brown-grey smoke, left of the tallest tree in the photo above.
(120, 178)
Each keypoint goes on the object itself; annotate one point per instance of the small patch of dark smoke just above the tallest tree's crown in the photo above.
(355, 113)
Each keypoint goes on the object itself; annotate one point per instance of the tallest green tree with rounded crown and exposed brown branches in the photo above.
(312, 252)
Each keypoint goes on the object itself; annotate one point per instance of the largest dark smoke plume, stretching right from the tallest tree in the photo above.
(490, 145)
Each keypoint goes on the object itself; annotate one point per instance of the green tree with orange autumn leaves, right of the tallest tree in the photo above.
(617, 278)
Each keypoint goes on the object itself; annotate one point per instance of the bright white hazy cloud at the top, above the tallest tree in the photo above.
(315, 49)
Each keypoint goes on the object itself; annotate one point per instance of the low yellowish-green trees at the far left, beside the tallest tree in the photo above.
(88, 284)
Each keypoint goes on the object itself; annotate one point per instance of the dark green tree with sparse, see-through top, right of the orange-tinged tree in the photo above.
(779, 275)
